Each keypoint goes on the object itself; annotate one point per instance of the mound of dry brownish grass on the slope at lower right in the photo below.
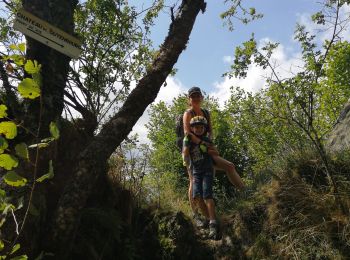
(298, 217)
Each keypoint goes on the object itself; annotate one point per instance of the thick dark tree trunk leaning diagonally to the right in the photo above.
(92, 161)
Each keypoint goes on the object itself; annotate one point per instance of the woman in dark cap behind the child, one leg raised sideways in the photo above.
(195, 99)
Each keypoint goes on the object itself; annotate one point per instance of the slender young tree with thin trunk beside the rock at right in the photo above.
(303, 100)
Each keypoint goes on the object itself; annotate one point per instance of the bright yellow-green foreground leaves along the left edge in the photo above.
(14, 153)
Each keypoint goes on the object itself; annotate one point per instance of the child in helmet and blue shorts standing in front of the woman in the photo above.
(200, 162)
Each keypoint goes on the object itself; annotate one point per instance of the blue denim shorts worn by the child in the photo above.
(203, 185)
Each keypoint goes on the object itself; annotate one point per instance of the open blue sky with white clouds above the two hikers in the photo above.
(210, 50)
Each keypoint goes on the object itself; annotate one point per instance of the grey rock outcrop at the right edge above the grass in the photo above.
(339, 138)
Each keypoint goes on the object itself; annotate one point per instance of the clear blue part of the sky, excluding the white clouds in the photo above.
(202, 62)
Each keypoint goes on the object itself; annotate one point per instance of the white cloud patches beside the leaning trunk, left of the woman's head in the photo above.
(167, 93)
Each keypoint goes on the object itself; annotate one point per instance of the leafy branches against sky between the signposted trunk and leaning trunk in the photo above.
(116, 52)
